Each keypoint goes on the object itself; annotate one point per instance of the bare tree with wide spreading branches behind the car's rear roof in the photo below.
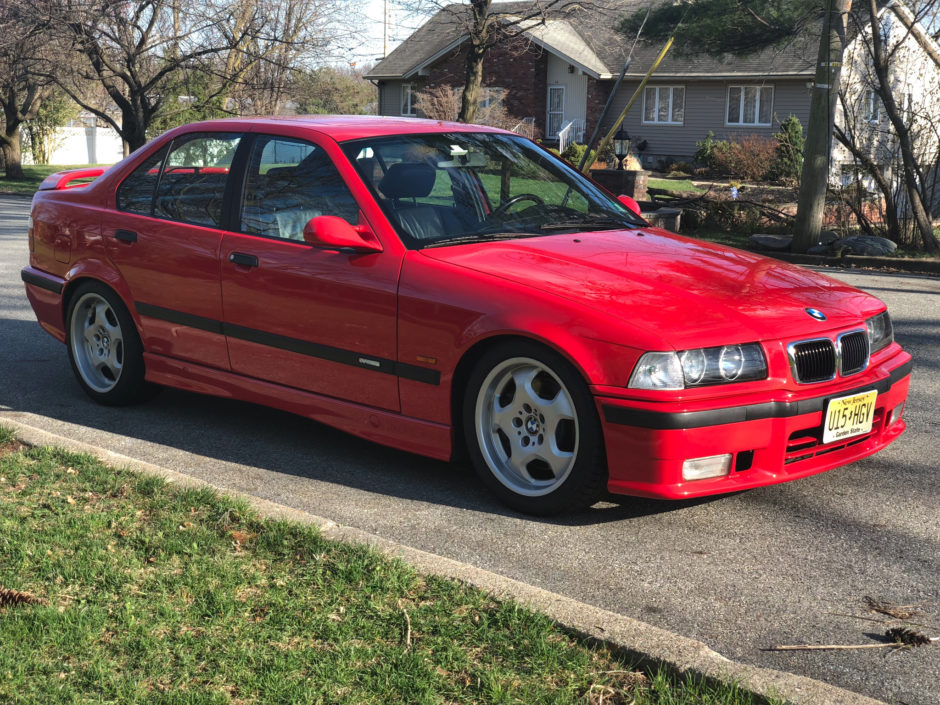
(147, 54)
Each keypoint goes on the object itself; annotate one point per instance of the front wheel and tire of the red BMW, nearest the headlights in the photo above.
(532, 431)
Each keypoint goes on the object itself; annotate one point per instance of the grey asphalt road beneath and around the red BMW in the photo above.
(788, 564)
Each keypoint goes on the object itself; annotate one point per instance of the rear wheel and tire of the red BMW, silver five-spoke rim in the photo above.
(104, 347)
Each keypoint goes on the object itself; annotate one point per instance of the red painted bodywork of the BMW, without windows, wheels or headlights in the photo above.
(381, 344)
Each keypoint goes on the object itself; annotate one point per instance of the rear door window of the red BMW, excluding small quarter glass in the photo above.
(194, 178)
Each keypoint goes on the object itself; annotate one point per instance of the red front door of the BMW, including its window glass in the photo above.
(318, 320)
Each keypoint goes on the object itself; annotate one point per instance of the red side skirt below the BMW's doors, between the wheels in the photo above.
(385, 427)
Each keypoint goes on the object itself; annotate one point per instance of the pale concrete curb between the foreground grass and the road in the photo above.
(642, 641)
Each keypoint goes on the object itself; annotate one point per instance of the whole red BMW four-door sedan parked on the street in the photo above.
(450, 289)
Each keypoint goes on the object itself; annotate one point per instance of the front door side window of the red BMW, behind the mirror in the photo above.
(289, 181)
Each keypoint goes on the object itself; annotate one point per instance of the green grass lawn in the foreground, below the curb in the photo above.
(129, 590)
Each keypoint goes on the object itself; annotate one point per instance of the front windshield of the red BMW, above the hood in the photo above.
(449, 188)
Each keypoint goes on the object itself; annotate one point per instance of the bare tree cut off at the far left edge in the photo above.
(23, 85)
